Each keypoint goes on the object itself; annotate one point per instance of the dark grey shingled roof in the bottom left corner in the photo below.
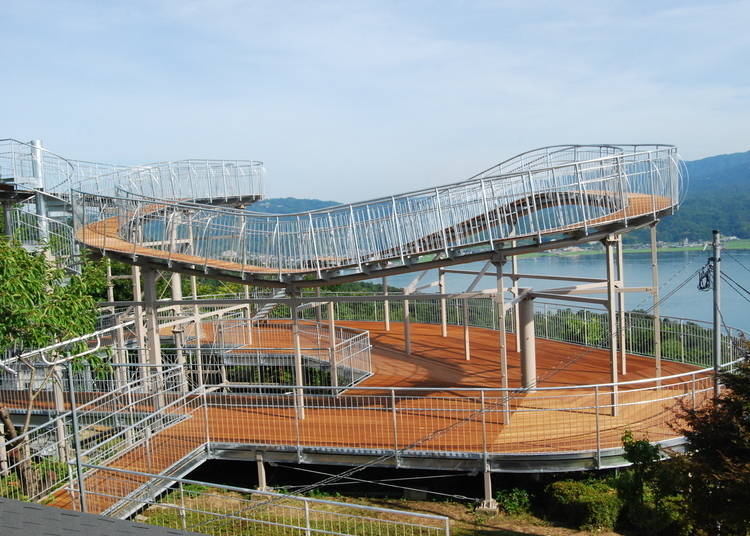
(29, 519)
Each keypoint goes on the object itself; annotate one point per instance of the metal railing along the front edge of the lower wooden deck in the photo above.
(458, 422)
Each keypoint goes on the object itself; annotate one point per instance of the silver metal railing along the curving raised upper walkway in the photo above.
(579, 191)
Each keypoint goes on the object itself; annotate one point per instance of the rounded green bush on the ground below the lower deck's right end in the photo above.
(590, 505)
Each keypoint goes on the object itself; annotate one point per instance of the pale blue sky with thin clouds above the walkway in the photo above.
(352, 100)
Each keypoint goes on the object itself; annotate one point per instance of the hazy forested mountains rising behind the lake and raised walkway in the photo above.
(717, 196)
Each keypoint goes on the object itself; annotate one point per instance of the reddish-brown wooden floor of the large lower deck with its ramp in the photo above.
(449, 427)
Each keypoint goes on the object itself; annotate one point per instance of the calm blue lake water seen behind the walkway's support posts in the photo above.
(674, 268)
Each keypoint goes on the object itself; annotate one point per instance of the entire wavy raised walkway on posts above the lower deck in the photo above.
(547, 198)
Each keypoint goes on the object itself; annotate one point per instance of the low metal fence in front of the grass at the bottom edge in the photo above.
(222, 510)
